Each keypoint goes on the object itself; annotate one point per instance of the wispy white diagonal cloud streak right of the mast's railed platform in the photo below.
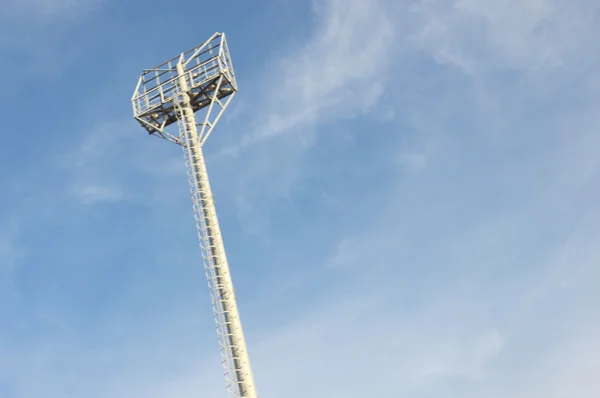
(340, 71)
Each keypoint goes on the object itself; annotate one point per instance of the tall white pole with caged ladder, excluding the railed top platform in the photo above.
(231, 337)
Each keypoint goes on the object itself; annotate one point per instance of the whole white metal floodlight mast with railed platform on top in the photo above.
(201, 79)
